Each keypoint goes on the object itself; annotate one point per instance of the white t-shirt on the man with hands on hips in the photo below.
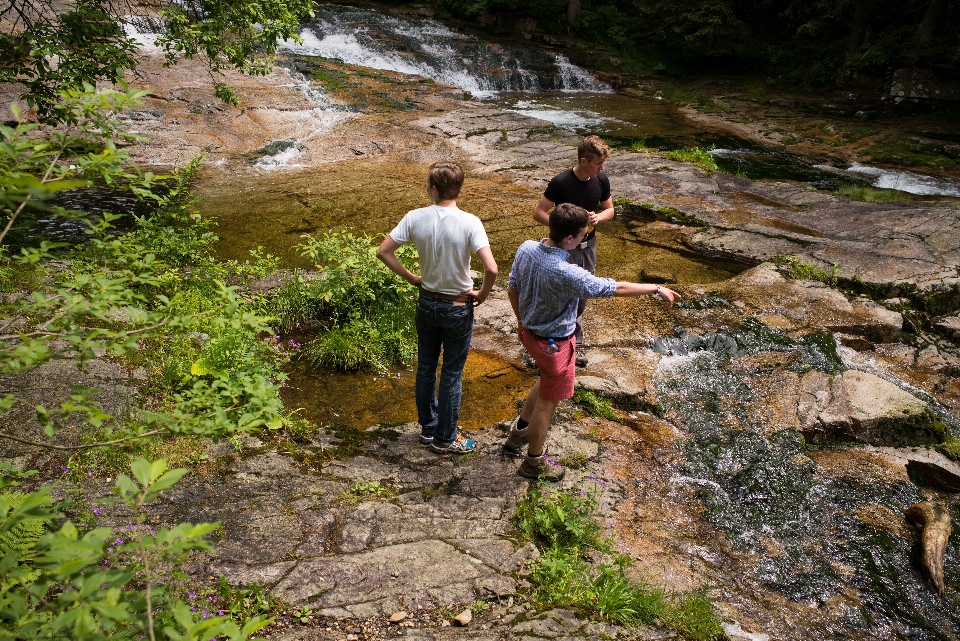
(444, 238)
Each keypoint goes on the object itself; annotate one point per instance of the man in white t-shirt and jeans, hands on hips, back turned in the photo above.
(444, 237)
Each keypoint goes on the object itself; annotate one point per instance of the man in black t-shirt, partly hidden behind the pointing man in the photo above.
(584, 186)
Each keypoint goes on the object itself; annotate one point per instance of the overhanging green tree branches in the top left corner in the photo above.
(87, 40)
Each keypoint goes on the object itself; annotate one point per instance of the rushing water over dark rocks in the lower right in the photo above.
(765, 491)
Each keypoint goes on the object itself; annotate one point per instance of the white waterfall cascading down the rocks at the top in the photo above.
(368, 38)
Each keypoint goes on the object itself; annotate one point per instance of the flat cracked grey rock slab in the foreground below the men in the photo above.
(442, 533)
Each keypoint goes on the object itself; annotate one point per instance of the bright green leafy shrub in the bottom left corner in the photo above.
(105, 584)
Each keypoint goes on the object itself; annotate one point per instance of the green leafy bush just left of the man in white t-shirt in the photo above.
(366, 311)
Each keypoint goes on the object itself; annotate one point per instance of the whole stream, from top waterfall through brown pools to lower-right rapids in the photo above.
(820, 541)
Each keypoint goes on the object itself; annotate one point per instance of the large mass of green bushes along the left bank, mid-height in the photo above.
(123, 293)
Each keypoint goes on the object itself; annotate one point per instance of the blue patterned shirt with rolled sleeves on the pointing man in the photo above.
(550, 287)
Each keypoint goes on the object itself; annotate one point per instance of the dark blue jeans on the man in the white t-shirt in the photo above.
(441, 324)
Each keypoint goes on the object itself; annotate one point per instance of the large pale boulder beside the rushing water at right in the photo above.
(862, 407)
